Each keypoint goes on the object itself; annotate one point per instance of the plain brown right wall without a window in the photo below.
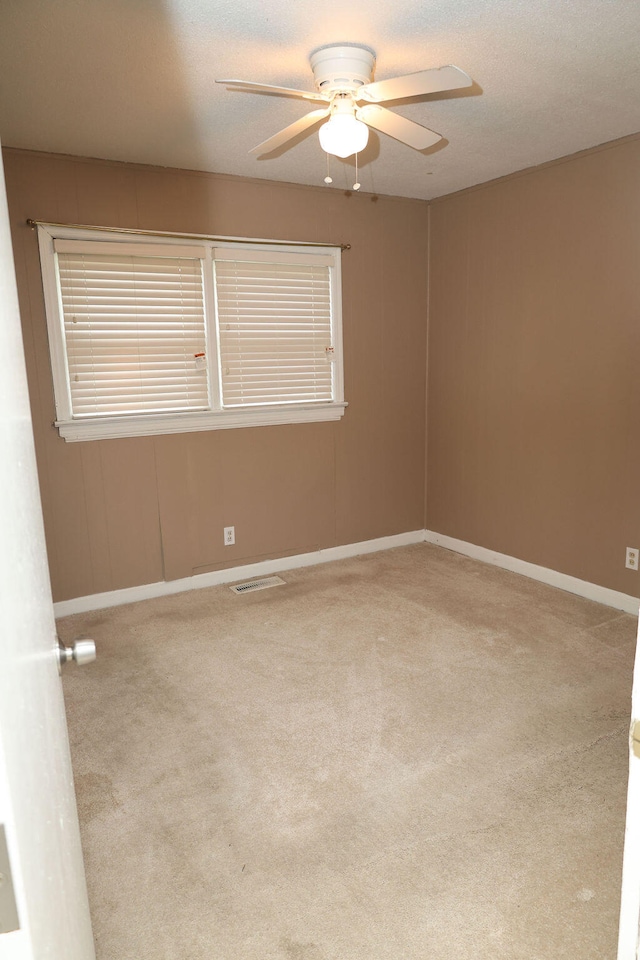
(534, 366)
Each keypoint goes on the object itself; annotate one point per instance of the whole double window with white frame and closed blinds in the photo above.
(156, 334)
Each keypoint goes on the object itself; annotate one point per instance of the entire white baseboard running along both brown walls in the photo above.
(147, 591)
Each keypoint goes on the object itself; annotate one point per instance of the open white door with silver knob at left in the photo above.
(43, 899)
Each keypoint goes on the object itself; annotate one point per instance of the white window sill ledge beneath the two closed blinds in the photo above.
(110, 428)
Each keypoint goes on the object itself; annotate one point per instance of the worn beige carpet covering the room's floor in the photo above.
(404, 755)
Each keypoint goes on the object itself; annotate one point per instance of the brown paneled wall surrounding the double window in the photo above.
(125, 512)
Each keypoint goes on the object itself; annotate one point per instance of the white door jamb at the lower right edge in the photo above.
(628, 939)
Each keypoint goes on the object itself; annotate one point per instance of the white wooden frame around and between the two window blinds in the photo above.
(216, 417)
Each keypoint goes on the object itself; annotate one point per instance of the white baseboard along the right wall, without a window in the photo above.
(591, 591)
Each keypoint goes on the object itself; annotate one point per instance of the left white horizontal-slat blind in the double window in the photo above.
(134, 327)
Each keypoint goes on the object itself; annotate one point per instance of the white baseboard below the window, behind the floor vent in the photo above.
(146, 591)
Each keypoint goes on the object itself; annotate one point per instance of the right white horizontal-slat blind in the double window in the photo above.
(274, 327)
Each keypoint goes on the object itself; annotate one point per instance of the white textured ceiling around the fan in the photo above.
(134, 80)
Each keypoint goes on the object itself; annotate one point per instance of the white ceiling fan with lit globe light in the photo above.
(343, 75)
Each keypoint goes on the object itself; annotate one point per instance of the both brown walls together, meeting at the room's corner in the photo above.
(533, 380)
